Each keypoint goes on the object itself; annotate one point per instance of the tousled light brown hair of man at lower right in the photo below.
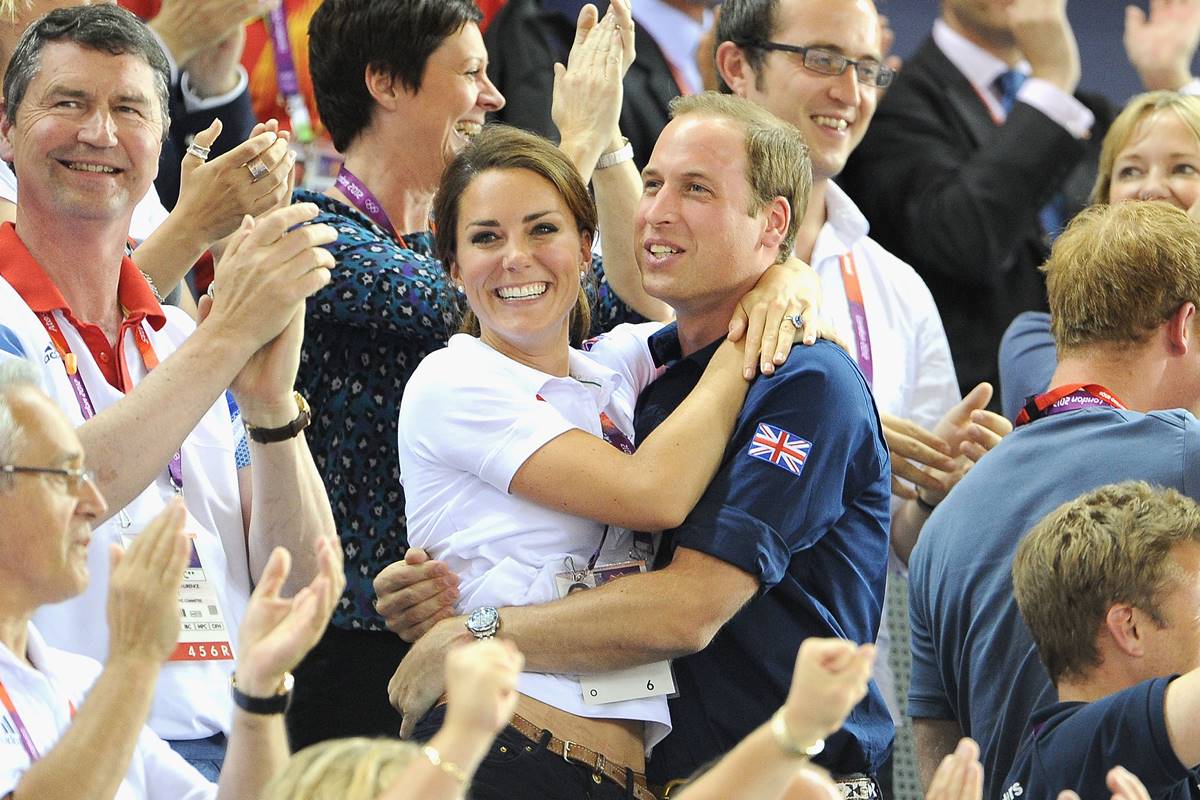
(1109, 546)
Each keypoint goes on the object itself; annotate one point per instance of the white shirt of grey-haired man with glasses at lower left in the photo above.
(44, 691)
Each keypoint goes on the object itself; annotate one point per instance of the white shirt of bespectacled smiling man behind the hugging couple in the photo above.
(914, 374)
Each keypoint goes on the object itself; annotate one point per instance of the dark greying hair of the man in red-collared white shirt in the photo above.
(105, 28)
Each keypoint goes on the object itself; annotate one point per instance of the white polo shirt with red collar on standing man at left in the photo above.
(193, 701)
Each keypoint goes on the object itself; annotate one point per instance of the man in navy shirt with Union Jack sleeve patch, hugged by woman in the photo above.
(790, 540)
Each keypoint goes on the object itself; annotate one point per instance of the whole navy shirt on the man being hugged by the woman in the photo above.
(802, 503)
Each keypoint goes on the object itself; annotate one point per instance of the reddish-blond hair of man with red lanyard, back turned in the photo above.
(1119, 272)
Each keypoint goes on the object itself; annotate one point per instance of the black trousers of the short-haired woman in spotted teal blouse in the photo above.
(341, 688)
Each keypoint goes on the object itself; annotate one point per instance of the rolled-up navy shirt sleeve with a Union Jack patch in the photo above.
(758, 513)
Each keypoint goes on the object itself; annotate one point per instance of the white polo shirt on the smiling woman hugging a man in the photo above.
(470, 419)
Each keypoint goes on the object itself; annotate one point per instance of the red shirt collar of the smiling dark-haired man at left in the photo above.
(35, 287)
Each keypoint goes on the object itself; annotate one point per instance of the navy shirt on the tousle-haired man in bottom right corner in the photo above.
(1075, 745)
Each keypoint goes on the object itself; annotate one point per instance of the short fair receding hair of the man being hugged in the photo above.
(777, 158)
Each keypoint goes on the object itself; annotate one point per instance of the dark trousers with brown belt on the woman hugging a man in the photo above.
(519, 769)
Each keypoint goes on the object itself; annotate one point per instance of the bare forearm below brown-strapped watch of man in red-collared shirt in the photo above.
(289, 508)
